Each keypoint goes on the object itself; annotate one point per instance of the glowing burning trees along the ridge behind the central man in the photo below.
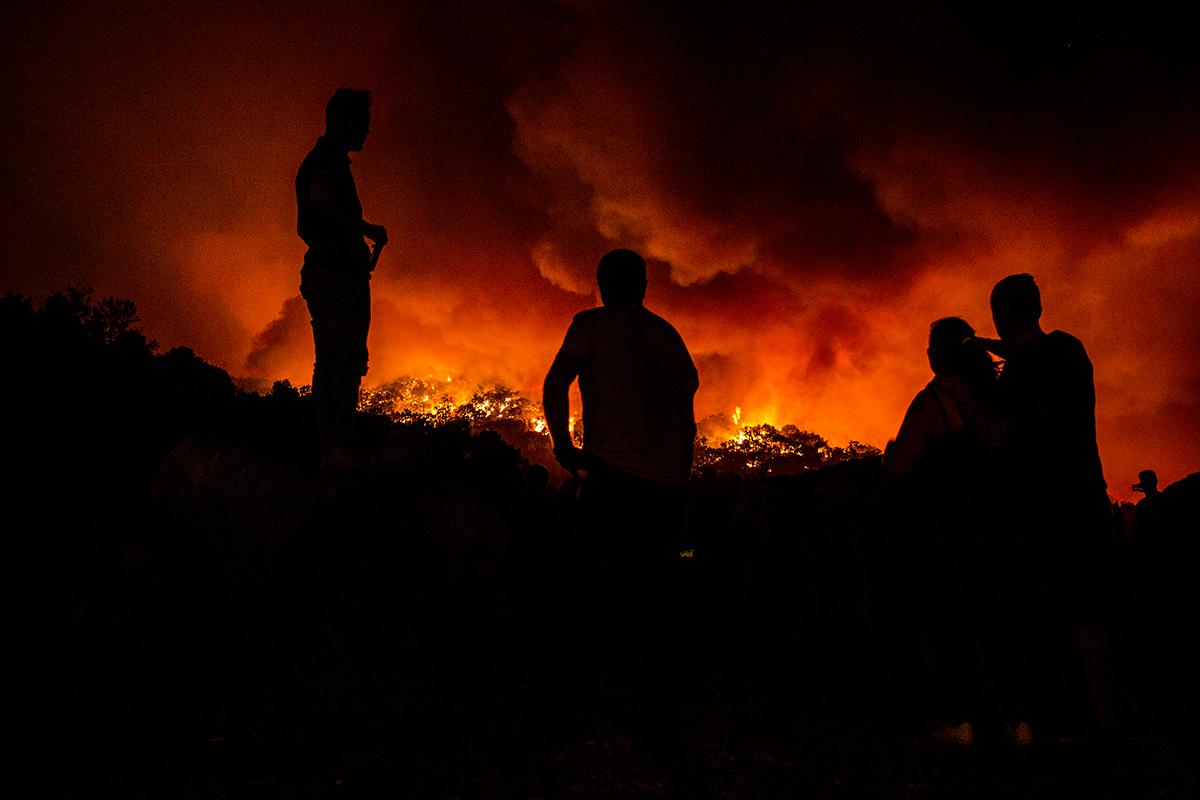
(723, 444)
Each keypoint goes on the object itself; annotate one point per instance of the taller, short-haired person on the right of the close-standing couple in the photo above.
(1046, 435)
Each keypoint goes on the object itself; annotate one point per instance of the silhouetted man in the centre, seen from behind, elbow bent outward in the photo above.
(638, 382)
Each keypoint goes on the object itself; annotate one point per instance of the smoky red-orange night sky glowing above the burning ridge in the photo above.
(812, 188)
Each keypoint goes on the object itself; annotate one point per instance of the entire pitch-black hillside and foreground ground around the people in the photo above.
(212, 617)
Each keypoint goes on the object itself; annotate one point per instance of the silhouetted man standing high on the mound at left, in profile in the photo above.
(337, 276)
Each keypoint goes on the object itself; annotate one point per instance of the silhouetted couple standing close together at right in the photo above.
(1010, 508)
